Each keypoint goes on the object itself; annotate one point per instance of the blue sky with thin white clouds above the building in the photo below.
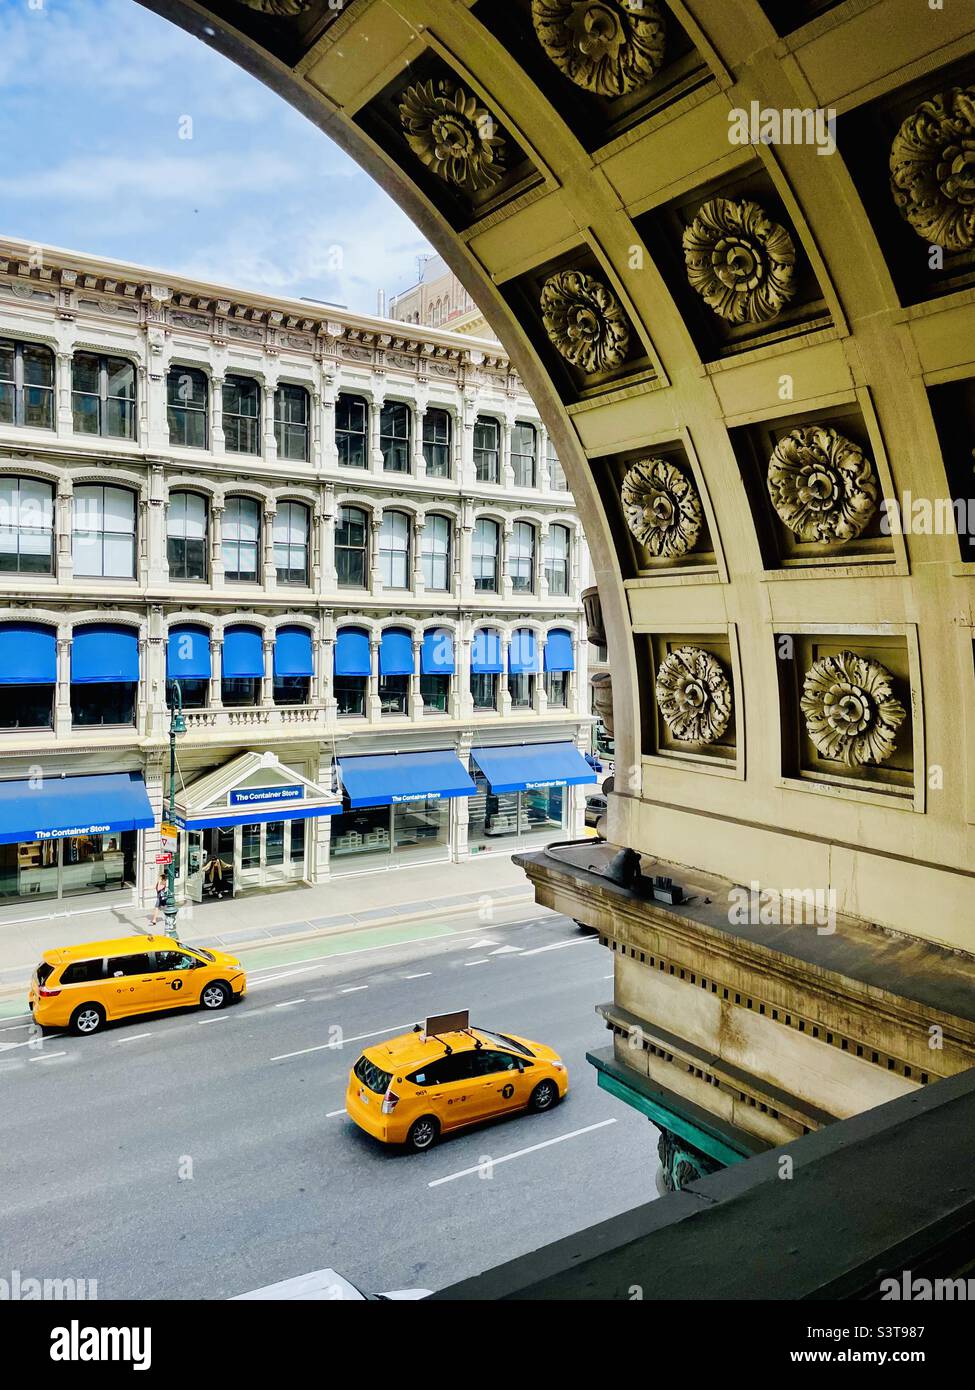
(92, 102)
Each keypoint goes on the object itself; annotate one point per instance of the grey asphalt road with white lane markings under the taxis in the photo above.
(201, 1157)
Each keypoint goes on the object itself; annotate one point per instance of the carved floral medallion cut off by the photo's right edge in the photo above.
(933, 170)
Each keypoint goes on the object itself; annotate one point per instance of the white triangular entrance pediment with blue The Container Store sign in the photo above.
(252, 789)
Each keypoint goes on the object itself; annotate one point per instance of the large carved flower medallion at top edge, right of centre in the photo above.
(607, 47)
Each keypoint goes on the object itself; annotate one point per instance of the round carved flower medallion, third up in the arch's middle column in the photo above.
(739, 261)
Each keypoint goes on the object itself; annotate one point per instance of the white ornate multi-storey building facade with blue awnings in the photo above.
(353, 550)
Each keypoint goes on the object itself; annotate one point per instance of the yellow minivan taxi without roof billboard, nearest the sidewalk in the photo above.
(86, 988)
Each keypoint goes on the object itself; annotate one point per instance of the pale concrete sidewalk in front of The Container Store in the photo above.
(364, 900)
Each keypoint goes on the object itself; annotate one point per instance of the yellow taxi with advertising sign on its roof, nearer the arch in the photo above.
(447, 1075)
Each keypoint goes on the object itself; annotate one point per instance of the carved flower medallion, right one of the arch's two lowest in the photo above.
(852, 712)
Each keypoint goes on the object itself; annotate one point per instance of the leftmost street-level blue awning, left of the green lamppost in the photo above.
(61, 807)
